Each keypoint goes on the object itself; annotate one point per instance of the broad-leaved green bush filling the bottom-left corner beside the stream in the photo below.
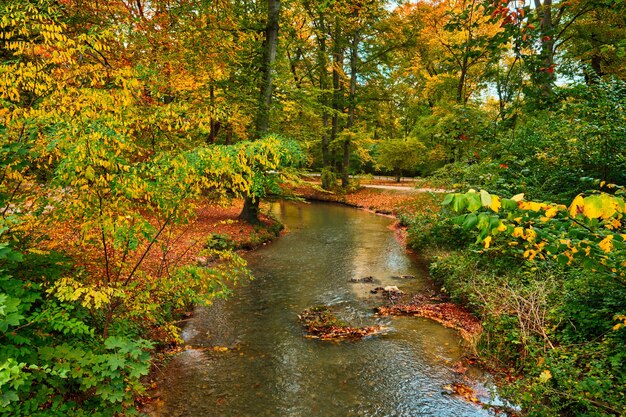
(53, 361)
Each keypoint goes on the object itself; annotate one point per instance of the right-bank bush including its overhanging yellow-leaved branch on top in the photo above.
(547, 284)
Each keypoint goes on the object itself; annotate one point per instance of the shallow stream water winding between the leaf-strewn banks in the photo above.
(271, 369)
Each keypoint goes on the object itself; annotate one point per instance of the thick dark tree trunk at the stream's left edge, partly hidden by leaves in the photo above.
(250, 212)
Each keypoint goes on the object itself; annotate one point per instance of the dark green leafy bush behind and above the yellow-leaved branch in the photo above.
(550, 152)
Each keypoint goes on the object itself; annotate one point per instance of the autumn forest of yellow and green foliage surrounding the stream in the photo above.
(121, 118)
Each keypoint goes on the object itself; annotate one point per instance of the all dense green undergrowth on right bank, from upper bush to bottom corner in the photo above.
(545, 277)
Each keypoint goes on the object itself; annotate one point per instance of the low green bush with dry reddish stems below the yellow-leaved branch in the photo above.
(550, 327)
